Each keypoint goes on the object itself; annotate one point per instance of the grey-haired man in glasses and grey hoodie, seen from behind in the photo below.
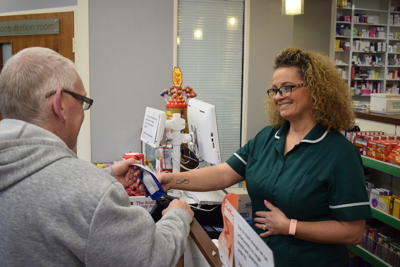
(58, 210)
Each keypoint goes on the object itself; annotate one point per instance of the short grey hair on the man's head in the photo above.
(27, 77)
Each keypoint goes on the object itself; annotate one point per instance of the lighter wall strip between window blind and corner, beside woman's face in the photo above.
(269, 32)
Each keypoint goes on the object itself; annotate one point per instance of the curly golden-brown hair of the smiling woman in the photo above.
(330, 101)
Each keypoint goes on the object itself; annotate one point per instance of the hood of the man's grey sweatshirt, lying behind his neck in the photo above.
(26, 148)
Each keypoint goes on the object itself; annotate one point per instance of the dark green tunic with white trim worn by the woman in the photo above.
(320, 179)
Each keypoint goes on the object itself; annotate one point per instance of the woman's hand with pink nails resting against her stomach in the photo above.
(273, 222)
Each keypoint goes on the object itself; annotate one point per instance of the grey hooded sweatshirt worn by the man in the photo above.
(58, 210)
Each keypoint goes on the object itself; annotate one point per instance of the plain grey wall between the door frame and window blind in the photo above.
(131, 56)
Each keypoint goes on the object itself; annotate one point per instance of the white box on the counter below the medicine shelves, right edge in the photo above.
(385, 103)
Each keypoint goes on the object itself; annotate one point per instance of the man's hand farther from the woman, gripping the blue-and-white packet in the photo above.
(125, 172)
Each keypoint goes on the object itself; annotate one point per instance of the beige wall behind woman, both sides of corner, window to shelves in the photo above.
(270, 33)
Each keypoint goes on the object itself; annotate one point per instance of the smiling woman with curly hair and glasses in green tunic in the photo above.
(304, 178)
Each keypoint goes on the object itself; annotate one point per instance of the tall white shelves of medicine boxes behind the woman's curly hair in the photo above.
(366, 45)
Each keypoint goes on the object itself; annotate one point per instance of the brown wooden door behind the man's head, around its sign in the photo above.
(61, 42)
